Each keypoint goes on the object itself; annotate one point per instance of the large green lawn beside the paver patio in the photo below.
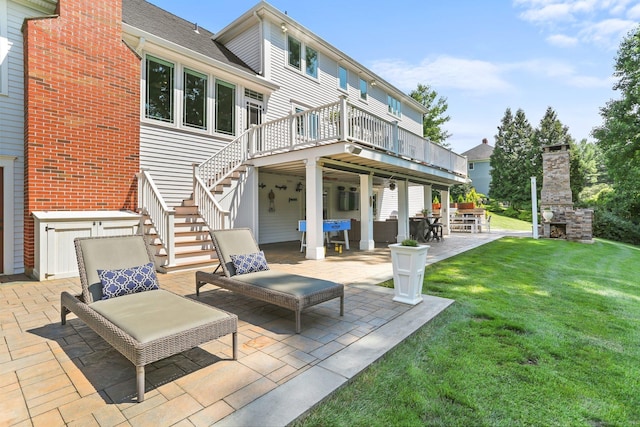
(543, 332)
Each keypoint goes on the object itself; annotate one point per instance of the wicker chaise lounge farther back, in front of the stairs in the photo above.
(245, 271)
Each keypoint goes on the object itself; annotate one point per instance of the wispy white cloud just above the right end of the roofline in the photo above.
(444, 72)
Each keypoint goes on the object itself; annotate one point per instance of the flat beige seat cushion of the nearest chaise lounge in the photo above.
(156, 314)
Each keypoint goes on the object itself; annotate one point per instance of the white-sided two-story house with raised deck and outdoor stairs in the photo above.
(259, 125)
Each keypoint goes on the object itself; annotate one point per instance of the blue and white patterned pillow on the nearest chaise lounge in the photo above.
(116, 283)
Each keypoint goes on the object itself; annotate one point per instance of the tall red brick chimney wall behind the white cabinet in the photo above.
(82, 119)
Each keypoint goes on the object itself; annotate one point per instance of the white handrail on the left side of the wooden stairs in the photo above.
(151, 203)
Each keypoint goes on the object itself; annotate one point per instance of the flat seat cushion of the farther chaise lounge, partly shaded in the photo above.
(298, 286)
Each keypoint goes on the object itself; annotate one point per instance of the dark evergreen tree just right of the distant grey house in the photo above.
(511, 161)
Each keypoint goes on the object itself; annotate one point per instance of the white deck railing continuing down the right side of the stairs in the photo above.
(338, 121)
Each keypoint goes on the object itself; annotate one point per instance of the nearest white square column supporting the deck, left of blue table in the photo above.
(315, 236)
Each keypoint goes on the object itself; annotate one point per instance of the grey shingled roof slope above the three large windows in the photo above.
(154, 20)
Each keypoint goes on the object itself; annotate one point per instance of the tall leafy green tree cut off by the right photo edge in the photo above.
(619, 135)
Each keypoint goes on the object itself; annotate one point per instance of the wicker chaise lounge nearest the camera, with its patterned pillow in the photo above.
(121, 302)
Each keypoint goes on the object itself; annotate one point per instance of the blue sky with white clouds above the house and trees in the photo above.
(482, 56)
